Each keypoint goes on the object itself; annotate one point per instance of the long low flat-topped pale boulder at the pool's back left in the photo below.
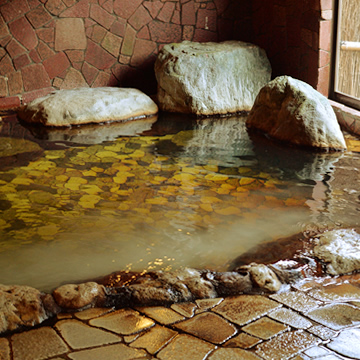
(85, 106)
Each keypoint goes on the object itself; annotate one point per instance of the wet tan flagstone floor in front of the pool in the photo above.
(317, 319)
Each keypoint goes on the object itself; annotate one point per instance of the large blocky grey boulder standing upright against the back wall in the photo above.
(210, 78)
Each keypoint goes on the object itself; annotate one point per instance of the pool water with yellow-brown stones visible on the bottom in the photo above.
(157, 194)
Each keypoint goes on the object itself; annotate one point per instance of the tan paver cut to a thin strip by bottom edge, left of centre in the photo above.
(113, 352)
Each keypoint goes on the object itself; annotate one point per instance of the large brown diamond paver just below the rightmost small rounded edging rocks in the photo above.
(245, 308)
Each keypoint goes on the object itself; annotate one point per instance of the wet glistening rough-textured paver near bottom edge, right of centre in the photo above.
(286, 345)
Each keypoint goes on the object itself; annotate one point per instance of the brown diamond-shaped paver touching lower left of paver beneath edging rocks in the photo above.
(209, 327)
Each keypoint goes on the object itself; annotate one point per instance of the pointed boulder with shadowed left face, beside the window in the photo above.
(292, 111)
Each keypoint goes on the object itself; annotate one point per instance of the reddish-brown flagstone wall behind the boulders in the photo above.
(61, 44)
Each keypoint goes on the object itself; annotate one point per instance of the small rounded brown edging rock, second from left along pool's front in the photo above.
(80, 296)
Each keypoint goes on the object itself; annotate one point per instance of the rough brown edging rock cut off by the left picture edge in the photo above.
(23, 306)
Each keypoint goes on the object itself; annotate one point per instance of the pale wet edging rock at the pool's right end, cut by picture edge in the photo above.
(340, 250)
